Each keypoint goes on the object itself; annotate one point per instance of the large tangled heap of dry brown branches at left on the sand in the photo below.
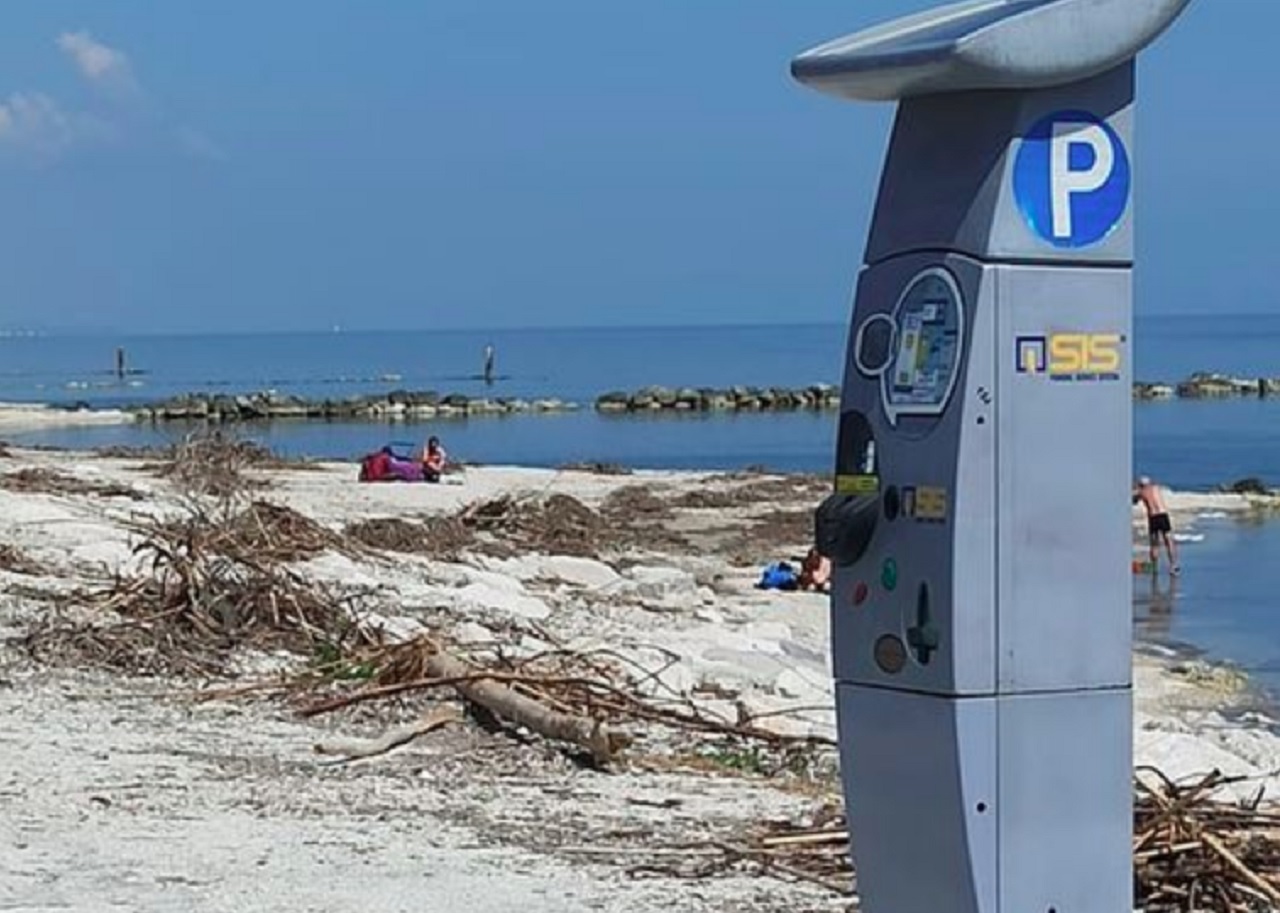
(212, 590)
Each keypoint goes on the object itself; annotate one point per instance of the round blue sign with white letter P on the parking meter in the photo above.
(1072, 180)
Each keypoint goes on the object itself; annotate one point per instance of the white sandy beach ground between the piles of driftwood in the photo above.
(125, 793)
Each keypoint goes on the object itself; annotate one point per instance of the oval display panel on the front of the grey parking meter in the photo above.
(929, 346)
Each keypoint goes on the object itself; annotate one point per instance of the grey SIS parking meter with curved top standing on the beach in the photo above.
(980, 528)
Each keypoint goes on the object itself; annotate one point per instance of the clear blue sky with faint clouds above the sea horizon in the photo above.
(287, 166)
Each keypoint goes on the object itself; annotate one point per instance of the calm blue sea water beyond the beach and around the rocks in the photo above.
(1223, 608)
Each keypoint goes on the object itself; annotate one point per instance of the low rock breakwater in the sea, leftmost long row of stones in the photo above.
(387, 407)
